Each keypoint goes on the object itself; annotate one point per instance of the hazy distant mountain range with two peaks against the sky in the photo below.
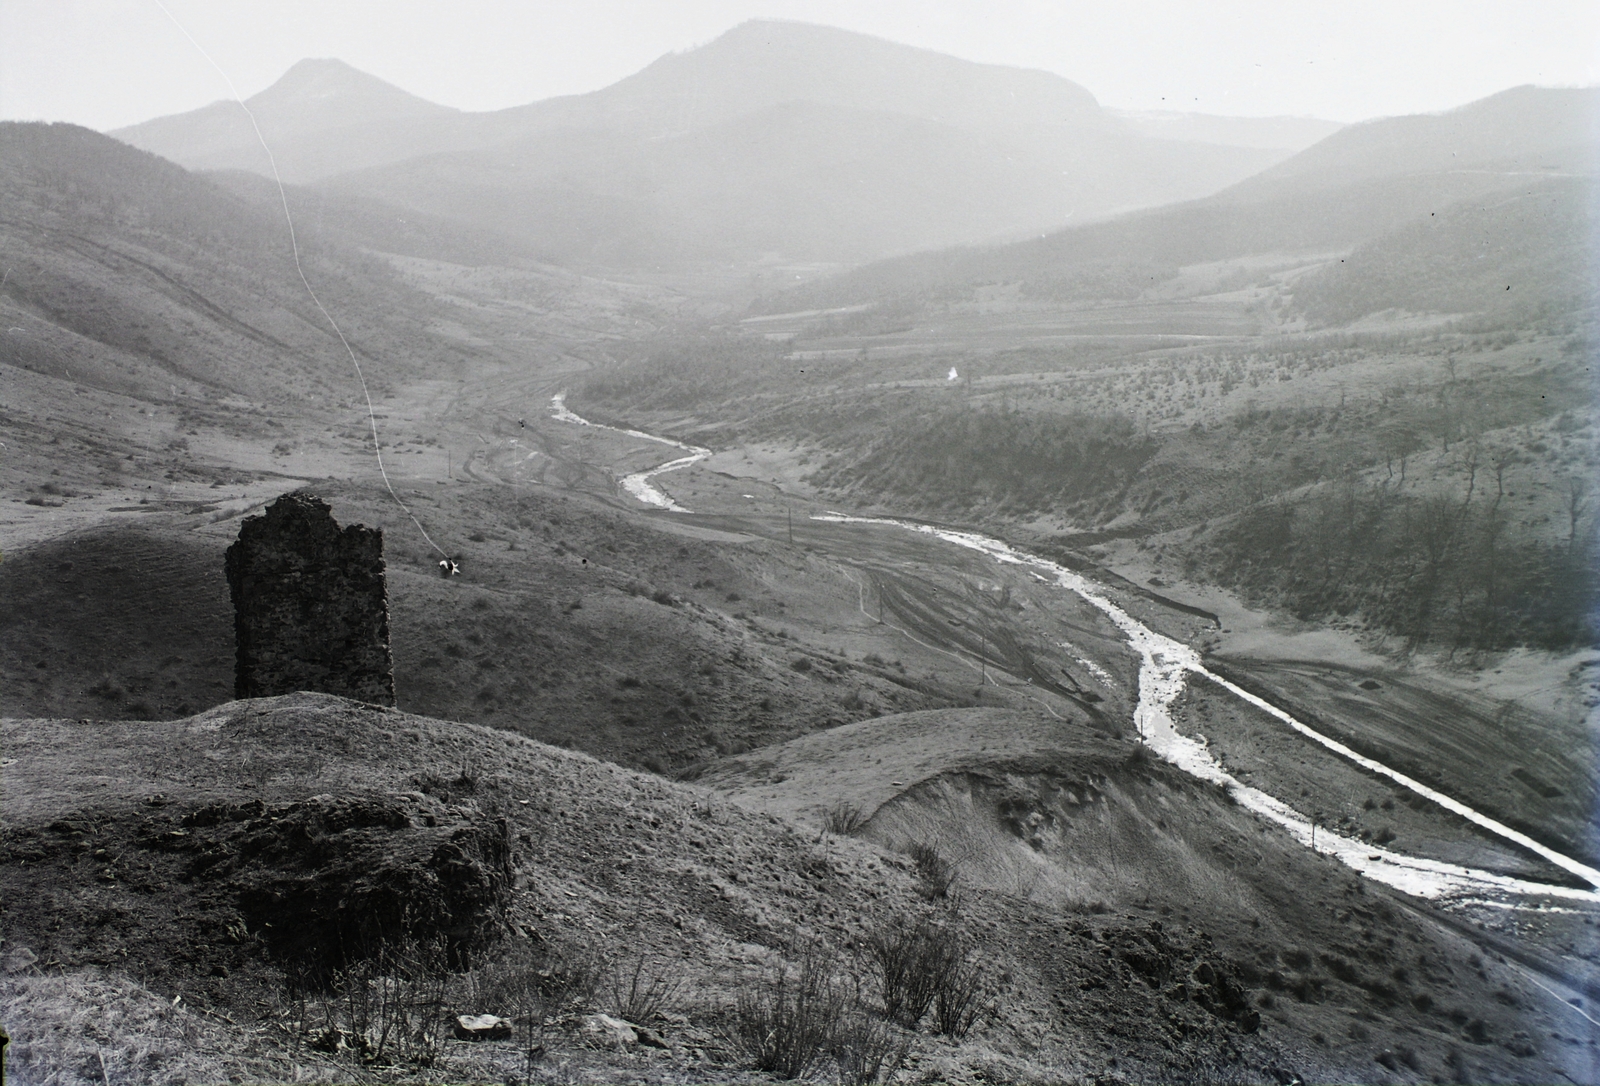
(988, 153)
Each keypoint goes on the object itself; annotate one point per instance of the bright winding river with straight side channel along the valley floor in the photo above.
(1166, 669)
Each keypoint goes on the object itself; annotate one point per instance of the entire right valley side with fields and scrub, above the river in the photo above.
(1294, 389)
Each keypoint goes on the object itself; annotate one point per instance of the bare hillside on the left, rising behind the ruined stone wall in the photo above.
(158, 333)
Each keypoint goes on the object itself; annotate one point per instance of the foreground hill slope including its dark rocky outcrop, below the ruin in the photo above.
(142, 861)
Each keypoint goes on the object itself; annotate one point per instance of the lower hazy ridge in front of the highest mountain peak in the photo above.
(802, 180)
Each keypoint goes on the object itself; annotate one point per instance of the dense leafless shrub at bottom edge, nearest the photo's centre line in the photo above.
(786, 1021)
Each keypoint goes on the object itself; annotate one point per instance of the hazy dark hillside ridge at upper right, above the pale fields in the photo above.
(1362, 183)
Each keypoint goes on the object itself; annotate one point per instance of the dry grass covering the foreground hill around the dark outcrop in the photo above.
(678, 876)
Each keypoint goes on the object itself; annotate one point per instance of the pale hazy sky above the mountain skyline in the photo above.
(108, 63)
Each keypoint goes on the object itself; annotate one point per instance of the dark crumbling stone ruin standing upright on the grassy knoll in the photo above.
(311, 607)
